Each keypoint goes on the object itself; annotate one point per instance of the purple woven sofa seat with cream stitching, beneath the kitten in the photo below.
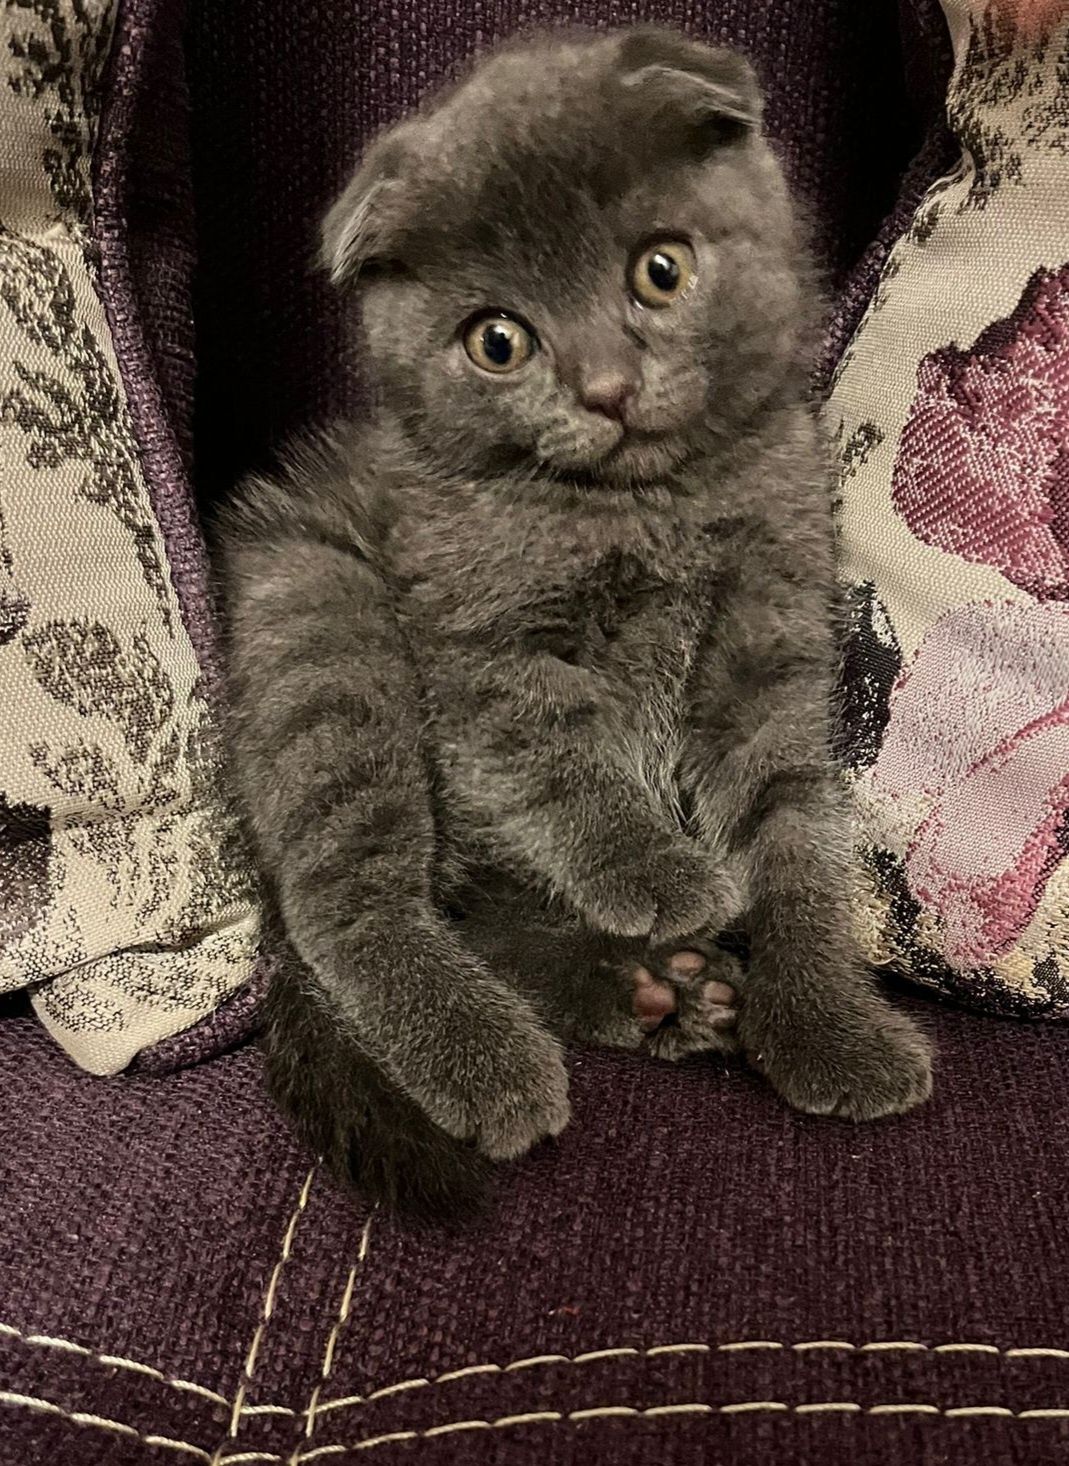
(693, 1273)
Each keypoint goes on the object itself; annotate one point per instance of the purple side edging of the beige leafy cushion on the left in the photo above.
(144, 228)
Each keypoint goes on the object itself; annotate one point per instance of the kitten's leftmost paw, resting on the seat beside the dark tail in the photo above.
(507, 1090)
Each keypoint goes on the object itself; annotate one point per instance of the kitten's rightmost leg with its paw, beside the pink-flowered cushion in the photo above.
(766, 791)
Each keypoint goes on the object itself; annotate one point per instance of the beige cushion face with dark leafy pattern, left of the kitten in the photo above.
(125, 895)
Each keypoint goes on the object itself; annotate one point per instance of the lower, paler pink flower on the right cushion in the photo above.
(980, 732)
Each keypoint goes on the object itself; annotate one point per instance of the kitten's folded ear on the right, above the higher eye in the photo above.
(712, 93)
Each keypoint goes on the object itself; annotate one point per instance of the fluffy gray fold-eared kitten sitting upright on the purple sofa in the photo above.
(534, 671)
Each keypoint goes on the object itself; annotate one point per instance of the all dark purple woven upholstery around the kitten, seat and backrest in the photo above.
(693, 1267)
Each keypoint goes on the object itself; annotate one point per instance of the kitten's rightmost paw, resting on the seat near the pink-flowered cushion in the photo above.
(860, 1068)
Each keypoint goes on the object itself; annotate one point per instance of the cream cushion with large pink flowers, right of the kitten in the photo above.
(951, 414)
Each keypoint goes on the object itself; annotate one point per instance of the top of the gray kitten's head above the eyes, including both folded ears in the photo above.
(554, 155)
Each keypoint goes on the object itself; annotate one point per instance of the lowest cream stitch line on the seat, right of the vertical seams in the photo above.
(691, 1408)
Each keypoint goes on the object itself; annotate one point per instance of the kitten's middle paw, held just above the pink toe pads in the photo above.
(666, 894)
